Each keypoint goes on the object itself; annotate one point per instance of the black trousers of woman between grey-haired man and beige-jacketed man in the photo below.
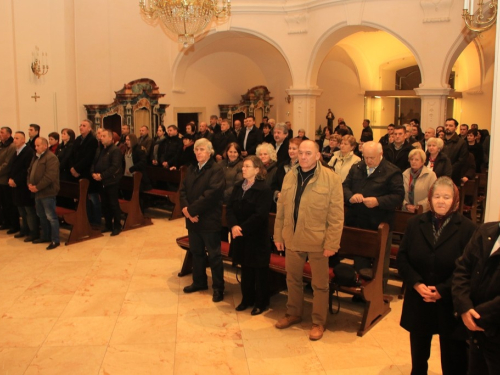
(255, 286)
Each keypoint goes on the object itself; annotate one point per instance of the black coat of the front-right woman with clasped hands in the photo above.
(421, 259)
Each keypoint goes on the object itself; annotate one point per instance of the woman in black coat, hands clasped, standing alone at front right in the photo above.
(426, 260)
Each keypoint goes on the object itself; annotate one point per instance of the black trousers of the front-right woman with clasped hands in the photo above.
(453, 354)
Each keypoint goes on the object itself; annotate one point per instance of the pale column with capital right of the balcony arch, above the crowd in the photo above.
(433, 106)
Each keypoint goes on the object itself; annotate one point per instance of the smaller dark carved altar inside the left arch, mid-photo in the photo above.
(254, 103)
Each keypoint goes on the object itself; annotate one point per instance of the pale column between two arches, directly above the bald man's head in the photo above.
(304, 110)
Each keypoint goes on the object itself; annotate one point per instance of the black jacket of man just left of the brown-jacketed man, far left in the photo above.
(19, 173)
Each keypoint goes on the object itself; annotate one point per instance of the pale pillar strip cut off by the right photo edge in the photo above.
(493, 198)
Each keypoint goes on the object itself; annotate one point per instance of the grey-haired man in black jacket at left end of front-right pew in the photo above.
(201, 195)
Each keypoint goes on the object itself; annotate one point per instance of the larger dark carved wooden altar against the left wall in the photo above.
(136, 105)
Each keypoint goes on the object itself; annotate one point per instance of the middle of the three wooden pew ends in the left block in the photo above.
(135, 218)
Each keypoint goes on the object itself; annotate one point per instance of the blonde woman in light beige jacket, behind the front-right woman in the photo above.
(417, 180)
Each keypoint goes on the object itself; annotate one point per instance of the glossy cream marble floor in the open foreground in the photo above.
(114, 305)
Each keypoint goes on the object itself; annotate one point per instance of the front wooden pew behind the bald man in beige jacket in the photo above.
(354, 242)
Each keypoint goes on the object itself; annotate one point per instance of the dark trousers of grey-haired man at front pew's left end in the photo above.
(198, 242)
